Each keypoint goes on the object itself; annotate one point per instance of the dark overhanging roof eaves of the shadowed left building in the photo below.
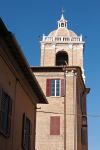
(21, 61)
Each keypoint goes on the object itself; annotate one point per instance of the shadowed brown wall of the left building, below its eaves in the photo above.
(21, 103)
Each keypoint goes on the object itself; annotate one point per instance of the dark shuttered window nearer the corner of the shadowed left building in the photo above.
(26, 138)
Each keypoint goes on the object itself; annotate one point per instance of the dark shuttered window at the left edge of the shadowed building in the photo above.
(5, 113)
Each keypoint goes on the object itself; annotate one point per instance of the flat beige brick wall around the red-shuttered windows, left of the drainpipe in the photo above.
(44, 140)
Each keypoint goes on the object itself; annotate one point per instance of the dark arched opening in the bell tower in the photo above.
(61, 58)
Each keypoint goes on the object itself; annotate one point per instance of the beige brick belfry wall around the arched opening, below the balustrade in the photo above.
(74, 51)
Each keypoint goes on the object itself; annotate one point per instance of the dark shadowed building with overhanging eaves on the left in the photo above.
(19, 95)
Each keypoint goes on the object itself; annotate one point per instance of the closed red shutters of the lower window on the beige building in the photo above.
(55, 125)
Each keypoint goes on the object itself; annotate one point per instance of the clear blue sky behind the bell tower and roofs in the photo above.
(28, 20)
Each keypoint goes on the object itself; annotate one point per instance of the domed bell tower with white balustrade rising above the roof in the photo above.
(62, 46)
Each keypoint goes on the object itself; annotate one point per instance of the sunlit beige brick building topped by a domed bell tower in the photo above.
(62, 124)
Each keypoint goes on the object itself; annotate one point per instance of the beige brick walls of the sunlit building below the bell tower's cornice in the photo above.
(74, 88)
